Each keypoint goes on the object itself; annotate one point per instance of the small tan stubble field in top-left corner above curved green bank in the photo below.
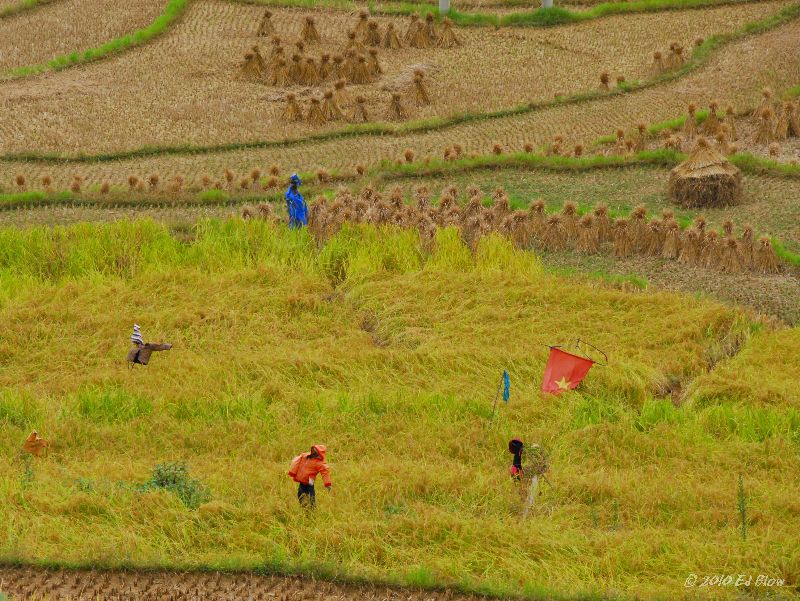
(66, 26)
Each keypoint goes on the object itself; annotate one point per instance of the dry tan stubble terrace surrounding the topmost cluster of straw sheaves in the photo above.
(183, 88)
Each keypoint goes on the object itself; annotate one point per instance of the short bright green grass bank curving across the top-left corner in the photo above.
(173, 9)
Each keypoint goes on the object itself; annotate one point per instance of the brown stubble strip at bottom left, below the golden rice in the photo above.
(37, 583)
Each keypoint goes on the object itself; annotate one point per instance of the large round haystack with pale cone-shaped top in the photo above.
(705, 179)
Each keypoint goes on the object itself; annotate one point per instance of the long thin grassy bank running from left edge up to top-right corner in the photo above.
(699, 57)
